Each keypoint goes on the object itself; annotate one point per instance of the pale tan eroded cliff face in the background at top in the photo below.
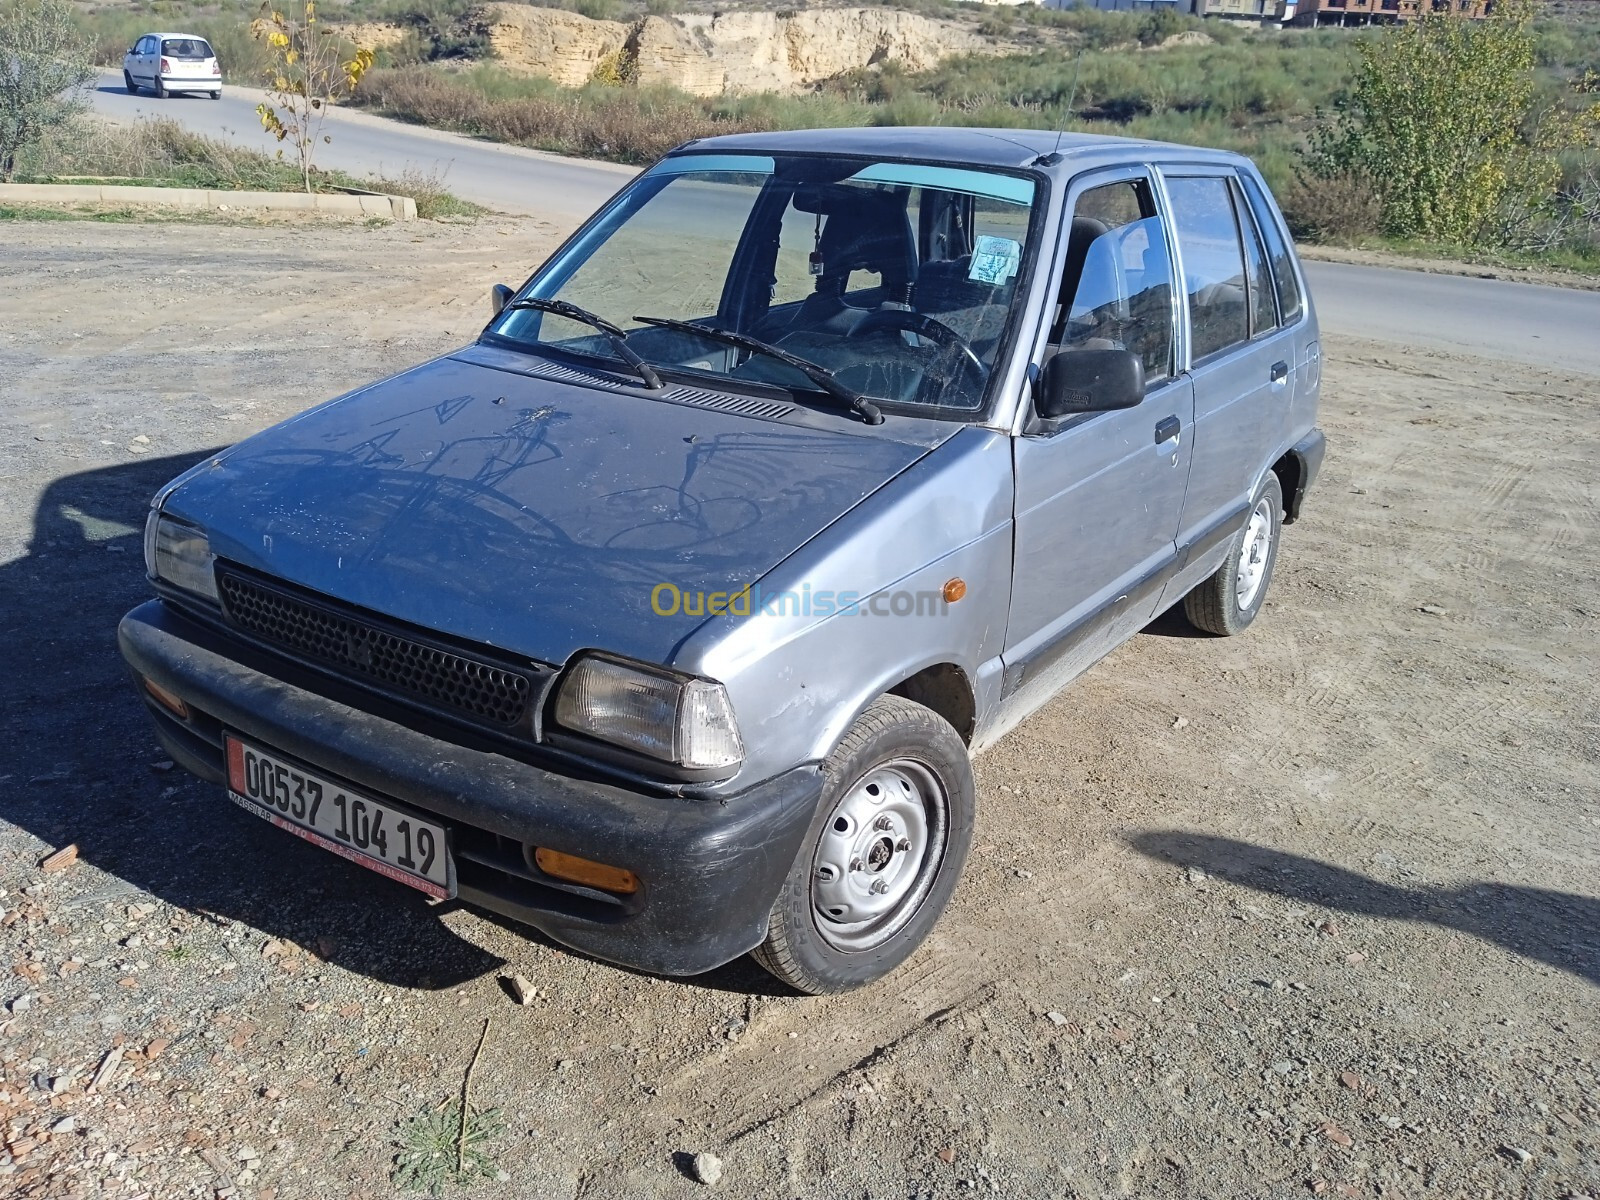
(710, 55)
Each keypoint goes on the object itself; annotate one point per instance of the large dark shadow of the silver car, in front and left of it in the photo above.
(79, 764)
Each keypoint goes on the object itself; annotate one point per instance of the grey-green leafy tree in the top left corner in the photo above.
(44, 66)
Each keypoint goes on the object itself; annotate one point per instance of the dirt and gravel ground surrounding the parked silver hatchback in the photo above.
(1305, 913)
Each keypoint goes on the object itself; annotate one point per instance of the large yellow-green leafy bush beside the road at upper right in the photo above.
(1444, 124)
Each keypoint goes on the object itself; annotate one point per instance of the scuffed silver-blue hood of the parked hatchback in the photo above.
(530, 514)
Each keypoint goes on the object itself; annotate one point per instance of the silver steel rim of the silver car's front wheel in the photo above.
(878, 855)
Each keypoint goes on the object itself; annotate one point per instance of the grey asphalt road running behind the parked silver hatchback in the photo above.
(1518, 322)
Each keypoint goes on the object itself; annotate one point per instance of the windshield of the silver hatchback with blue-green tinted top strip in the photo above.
(897, 278)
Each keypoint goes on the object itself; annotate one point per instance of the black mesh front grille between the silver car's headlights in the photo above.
(359, 647)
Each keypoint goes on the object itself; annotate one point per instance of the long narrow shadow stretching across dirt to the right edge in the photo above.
(1558, 929)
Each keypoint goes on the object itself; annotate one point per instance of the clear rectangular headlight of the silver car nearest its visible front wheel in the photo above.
(679, 721)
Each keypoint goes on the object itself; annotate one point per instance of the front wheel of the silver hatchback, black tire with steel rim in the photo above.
(894, 740)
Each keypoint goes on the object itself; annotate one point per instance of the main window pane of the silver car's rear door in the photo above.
(1214, 263)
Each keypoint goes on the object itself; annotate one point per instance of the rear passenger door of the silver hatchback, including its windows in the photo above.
(1241, 359)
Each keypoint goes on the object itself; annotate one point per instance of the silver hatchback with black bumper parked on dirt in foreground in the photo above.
(668, 615)
